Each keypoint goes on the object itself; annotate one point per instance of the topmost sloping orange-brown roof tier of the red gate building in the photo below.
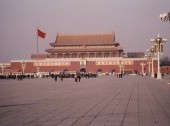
(84, 39)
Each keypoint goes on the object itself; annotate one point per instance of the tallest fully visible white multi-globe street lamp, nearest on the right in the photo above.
(158, 48)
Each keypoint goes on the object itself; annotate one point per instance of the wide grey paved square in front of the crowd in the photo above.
(102, 101)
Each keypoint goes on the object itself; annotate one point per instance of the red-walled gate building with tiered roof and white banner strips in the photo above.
(89, 53)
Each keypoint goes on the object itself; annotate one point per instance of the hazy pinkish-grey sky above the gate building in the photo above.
(135, 22)
